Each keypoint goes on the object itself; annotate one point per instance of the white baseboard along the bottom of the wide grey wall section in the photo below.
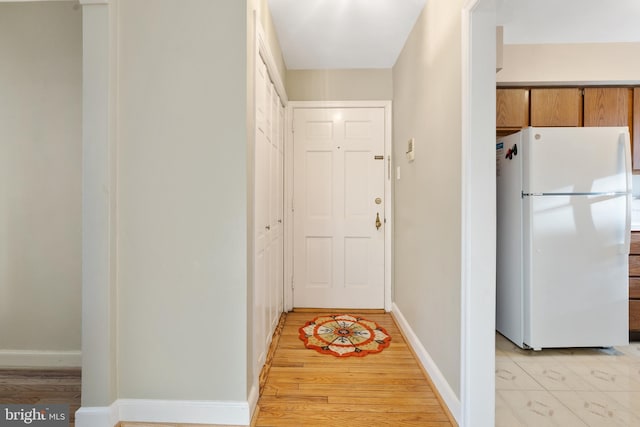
(166, 411)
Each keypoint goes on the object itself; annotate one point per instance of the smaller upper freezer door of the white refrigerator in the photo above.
(576, 160)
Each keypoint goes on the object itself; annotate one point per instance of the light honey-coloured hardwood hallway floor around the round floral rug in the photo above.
(306, 388)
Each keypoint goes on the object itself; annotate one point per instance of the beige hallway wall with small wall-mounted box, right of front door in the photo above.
(427, 107)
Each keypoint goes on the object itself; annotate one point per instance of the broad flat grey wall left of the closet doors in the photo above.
(182, 200)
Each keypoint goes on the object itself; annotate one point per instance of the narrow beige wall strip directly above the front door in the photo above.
(340, 85)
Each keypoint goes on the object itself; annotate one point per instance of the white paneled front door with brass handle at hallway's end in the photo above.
(339, 172)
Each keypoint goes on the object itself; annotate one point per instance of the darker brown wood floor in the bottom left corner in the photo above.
(41, 386)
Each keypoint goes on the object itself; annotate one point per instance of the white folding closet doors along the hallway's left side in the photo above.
(269, 214)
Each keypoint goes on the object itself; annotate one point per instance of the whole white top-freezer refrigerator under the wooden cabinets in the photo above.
(564, 217)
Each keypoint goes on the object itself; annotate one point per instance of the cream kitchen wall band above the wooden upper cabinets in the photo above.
(595, 63)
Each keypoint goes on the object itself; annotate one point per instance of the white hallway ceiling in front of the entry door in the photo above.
(318, 34)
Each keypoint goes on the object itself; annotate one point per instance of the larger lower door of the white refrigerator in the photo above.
(576, 283)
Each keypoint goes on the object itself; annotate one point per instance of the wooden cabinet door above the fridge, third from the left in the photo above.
(611, 106)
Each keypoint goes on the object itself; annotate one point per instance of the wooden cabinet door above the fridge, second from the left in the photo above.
(556, 107)
